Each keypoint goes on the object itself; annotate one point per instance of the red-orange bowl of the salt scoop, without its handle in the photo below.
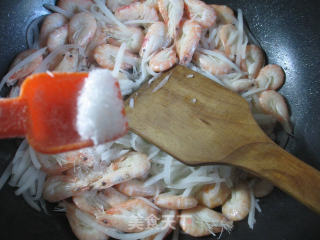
(52, 109)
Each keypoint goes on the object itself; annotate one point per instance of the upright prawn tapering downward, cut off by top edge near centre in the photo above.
(171, 12)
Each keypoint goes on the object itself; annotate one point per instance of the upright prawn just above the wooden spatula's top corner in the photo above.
(188, 41)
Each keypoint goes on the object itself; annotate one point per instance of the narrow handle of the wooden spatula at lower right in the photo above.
(283, 169)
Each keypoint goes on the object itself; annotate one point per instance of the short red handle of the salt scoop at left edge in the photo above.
(13, 117)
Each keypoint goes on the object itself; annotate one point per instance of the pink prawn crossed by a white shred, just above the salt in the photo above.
(105, 56)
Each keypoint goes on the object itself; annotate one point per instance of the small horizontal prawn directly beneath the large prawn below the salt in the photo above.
(135, 188)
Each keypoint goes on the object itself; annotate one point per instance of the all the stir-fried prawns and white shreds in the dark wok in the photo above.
(128, 188)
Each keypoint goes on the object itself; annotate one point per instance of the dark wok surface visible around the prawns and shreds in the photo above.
(288, 31)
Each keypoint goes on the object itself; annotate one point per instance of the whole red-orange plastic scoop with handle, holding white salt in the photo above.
(45, 113)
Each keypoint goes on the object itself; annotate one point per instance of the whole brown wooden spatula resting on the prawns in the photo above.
(199, 122)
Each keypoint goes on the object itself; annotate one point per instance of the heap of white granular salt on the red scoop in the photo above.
(100, 108)
